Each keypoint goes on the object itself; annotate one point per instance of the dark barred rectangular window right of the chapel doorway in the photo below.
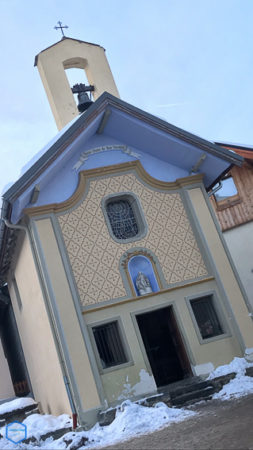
(206, 317)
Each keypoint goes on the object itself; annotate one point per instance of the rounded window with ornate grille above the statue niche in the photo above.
(122, 219)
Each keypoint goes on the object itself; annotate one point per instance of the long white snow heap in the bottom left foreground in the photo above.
(131, 420)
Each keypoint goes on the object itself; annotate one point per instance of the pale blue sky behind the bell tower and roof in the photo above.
(187, 61)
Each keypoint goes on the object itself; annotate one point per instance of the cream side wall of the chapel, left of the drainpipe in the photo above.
(36, 336)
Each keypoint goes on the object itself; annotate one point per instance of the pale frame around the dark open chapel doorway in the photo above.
(180, 328)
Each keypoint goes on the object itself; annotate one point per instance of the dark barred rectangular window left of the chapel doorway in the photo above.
(109, 344)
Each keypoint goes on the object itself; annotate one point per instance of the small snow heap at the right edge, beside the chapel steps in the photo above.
(241, 385)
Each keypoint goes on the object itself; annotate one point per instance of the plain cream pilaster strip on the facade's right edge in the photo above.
(223, 266)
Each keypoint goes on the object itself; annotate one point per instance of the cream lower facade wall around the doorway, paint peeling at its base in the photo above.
(126, 382)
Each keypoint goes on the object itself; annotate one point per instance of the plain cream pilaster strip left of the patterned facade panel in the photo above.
(69, 321)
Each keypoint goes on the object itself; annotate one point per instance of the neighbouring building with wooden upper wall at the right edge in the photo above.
(233, 205)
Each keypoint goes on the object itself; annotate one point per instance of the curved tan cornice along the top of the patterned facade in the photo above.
(112, 170)
